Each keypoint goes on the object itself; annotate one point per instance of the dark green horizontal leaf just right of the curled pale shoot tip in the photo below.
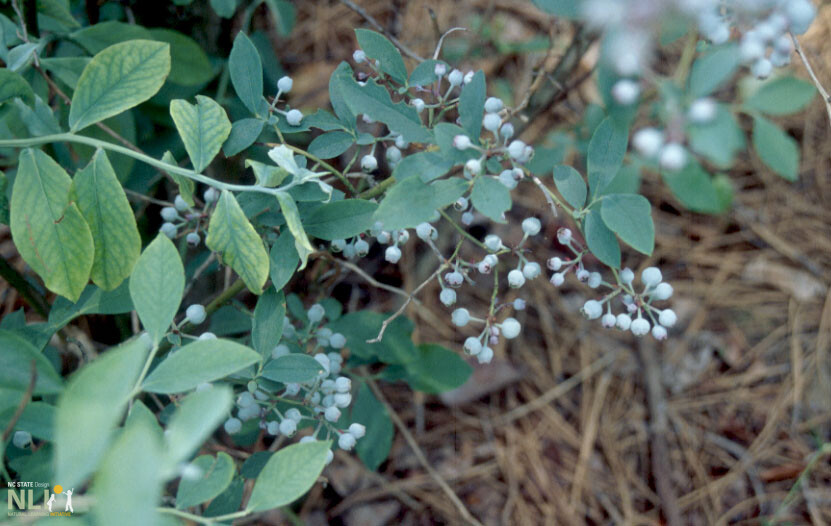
(340, 219)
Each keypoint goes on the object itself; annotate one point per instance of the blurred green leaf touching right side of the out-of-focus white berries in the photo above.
(719, 140)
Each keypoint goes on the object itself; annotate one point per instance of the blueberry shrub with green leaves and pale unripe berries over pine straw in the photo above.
(252, 190)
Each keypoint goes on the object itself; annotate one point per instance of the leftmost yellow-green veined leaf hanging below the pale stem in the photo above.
(50, 232)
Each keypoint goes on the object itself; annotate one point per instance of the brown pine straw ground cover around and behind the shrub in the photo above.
(722, 424)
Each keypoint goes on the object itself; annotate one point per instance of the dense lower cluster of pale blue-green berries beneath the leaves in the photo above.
(324, 397)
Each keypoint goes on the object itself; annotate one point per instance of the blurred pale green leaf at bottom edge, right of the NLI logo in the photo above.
(128, 486)
